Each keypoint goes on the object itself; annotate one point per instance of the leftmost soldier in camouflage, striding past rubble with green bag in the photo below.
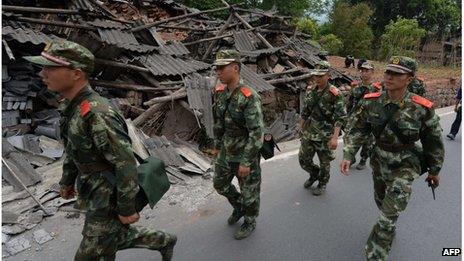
(97, 144)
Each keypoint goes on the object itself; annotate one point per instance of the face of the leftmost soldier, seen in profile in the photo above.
(58, 79)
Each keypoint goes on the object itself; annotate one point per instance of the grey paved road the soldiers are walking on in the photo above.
(295, 225)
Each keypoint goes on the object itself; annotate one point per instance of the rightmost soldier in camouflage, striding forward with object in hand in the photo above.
(397, 119)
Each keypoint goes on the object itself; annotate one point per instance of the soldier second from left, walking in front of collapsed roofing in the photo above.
(238, 130)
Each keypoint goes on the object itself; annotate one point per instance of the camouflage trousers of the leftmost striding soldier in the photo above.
(103, 236)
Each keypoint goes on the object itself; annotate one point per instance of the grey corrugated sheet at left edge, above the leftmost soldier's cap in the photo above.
(24, 35)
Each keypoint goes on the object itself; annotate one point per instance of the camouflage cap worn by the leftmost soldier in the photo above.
(65, 54)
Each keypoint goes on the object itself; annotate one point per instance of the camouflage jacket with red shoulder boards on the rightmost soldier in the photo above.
(415, 120)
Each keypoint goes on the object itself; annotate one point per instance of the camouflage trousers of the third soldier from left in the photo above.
(306, 154)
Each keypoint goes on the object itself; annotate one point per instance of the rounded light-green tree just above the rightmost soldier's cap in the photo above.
(401, 38)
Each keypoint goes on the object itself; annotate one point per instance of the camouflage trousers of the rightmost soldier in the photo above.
(392, 191)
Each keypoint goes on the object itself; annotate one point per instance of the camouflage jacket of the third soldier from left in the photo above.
(322, 111)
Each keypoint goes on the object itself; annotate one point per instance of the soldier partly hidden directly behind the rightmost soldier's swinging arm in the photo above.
(356, 95)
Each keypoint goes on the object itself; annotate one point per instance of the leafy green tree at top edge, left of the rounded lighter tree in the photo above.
(351, 25)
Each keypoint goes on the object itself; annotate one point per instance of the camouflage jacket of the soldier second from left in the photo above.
(238, 124)
